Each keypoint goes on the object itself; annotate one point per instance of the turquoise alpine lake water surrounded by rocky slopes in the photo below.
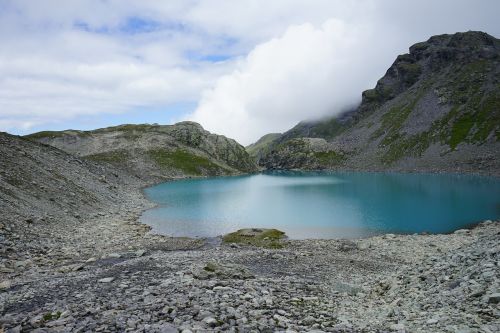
(323, 205)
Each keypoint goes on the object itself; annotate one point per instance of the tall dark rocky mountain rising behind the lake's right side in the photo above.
(437, 108)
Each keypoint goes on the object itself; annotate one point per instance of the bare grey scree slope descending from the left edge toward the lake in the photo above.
(45, 191)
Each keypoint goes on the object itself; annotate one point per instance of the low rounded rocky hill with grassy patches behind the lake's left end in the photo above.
(155, 151)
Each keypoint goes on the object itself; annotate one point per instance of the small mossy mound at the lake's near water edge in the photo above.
(268, 238)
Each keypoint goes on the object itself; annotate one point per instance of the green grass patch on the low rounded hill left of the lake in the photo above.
(186, 162)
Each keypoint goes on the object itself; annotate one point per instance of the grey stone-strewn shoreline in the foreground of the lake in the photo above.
(112, 275)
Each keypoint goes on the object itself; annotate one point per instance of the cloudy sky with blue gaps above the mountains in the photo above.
(240, 68)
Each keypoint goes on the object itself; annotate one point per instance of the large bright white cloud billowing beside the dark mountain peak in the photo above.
(307, 73)
